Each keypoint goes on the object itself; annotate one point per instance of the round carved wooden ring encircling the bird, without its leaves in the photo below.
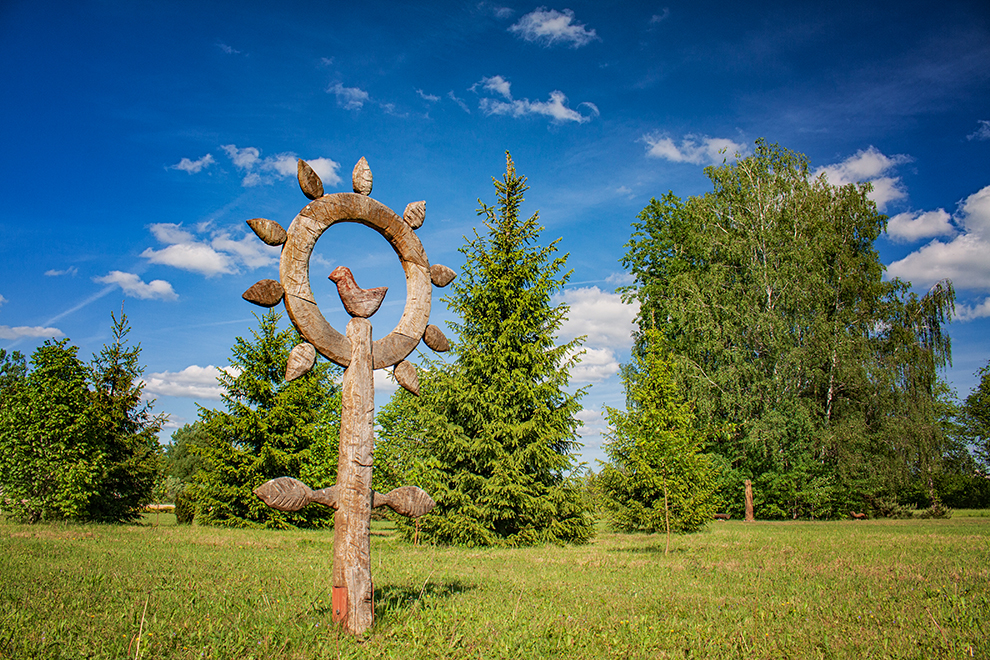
(306, 229)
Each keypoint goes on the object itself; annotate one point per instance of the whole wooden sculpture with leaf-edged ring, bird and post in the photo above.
(351, 497)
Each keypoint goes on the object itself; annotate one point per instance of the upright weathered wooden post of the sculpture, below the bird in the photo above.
(352, 522)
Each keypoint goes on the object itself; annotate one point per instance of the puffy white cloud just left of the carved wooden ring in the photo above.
(218, 253)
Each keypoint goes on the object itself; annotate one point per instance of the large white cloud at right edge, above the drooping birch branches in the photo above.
(963, 259)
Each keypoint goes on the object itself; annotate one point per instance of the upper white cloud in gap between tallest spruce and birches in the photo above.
(600, 315)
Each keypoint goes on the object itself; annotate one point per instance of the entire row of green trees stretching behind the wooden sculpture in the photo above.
(769, 347)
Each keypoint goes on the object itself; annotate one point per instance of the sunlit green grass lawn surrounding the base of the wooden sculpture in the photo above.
(878, 589)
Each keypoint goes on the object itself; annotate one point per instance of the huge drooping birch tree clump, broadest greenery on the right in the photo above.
(810, 374)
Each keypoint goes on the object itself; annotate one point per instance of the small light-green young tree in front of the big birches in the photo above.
(658, 478)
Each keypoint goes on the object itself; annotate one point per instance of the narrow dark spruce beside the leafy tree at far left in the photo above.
(126, 430)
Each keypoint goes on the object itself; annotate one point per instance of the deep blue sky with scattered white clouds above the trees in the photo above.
(138, 137)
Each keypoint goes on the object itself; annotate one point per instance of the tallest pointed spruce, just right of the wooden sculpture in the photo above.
(491, 434)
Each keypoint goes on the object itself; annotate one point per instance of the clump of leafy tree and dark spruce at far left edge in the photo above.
(71, 452)
